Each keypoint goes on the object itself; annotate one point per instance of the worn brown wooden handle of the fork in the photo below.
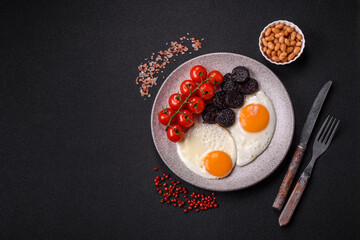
(294, 199)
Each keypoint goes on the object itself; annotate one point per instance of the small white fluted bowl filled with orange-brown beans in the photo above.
(281, 42)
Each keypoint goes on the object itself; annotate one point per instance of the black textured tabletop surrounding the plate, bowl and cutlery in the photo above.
(76, 148)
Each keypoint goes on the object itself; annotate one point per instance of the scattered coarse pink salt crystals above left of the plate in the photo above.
(150, 70)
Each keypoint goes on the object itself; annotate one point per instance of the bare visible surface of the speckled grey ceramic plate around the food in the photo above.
(261, 167)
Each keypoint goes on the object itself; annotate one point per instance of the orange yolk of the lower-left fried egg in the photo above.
(218, 163)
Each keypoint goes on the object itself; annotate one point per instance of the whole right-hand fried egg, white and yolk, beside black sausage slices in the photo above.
(254, 127)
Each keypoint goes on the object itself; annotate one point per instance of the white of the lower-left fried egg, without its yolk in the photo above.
(199, 141)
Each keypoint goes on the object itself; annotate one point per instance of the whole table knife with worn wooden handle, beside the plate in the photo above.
(300, 149)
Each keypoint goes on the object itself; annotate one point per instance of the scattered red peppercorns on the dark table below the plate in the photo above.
(178, 196)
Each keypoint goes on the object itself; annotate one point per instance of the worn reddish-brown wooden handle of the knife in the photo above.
(289, 177)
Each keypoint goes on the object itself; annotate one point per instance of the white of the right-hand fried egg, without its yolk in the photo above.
(251, 145)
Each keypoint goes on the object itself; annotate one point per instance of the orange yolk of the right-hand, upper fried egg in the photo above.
(254, 117)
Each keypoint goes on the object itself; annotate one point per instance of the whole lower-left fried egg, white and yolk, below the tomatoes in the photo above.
(208, 150)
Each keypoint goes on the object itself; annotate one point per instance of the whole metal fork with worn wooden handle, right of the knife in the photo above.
(321, 143)
